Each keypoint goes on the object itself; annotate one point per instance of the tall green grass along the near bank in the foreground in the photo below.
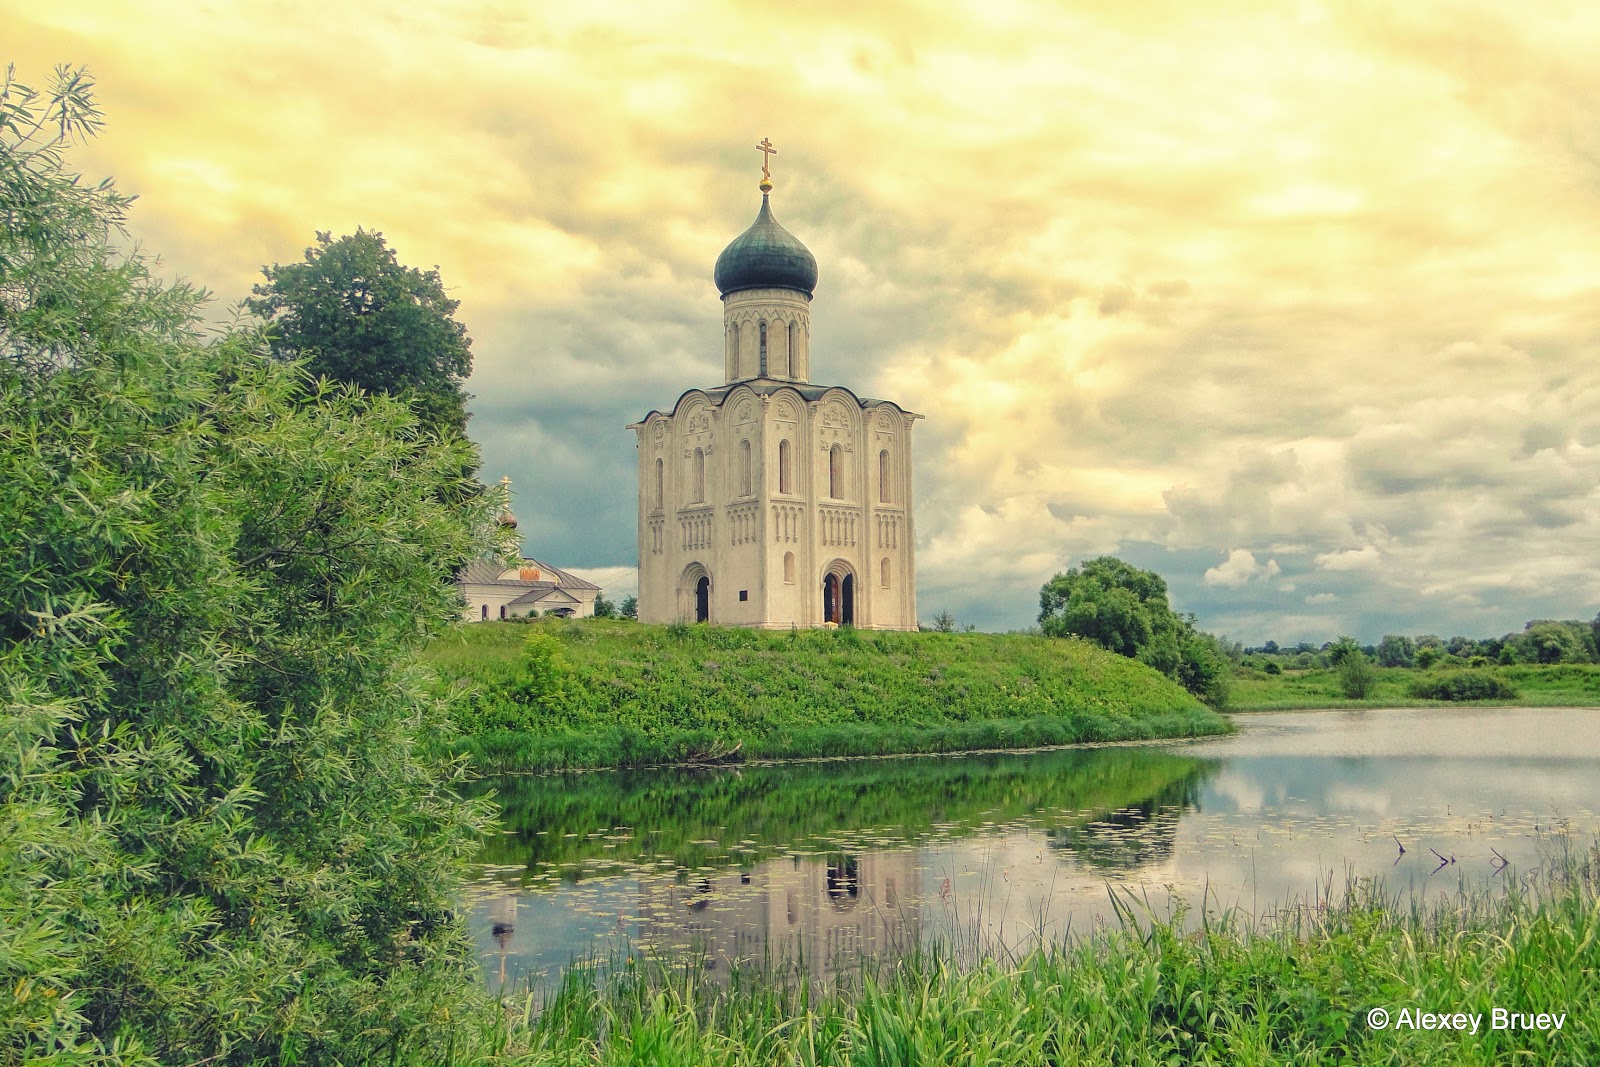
(1306, 986)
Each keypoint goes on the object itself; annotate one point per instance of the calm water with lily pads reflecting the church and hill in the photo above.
(830, 861)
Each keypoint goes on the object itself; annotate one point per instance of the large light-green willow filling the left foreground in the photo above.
(220, 841)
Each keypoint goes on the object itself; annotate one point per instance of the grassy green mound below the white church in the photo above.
(609, 693)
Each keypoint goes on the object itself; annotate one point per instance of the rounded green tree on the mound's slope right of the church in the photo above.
(1124, 610)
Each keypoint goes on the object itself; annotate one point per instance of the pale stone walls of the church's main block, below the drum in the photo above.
(742, 540)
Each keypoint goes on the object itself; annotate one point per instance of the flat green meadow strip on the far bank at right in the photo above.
(1537, 685)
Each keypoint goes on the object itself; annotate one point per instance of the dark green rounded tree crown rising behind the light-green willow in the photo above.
(351, 313)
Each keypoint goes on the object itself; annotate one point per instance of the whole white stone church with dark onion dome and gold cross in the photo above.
(770, 502)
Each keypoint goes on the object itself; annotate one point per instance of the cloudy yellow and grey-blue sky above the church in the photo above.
(1297, 305)
